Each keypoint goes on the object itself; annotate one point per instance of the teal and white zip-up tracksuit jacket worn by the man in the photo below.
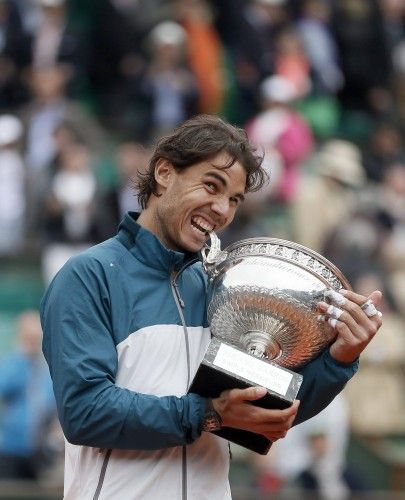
(121, 360)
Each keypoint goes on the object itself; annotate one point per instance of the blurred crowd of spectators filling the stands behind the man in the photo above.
(86, 88)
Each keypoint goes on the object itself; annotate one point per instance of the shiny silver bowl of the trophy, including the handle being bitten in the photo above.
(262, 298)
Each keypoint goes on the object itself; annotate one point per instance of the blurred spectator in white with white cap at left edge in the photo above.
(12, 186)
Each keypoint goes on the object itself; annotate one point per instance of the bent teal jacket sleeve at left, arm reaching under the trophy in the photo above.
(80, 350)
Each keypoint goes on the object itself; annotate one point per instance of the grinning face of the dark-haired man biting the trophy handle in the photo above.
(199, 199)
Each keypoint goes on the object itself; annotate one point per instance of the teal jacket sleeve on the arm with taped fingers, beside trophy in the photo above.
(323, 379)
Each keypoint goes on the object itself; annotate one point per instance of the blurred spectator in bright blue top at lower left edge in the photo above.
(27, 402)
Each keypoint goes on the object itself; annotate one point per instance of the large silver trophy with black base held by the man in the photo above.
(262, 299)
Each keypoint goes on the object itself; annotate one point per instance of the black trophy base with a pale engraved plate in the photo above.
(227, 367)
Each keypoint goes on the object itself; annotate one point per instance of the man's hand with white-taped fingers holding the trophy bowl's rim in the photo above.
(356, 319)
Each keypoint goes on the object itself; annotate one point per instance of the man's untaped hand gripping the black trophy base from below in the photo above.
(236, 411)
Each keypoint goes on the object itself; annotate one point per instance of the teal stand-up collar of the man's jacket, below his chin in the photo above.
(147, 248)
